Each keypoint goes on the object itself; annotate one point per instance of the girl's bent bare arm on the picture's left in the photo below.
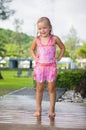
(33, 48)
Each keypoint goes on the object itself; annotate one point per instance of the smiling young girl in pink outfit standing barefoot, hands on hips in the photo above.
(43, 50)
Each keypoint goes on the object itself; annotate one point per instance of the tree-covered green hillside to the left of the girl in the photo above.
(14, 44)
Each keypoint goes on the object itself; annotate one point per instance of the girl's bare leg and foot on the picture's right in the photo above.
(52, 94)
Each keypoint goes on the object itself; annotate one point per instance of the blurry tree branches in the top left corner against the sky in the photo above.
(5, 11)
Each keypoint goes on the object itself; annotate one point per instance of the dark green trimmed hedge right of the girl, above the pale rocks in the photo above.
(69, 78)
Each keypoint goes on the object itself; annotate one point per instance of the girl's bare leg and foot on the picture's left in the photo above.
(39, 94)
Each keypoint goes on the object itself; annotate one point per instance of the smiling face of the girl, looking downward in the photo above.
(43, 29)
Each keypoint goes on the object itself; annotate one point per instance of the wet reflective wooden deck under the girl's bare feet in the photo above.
(16, 113)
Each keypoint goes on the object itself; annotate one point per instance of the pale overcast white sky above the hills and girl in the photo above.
(63, 14)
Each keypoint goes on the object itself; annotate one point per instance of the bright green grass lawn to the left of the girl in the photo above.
(11, 82)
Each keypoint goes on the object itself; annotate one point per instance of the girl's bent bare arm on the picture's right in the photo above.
(61, 46)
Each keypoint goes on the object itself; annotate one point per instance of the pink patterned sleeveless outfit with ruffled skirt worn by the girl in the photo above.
(45, 68)
